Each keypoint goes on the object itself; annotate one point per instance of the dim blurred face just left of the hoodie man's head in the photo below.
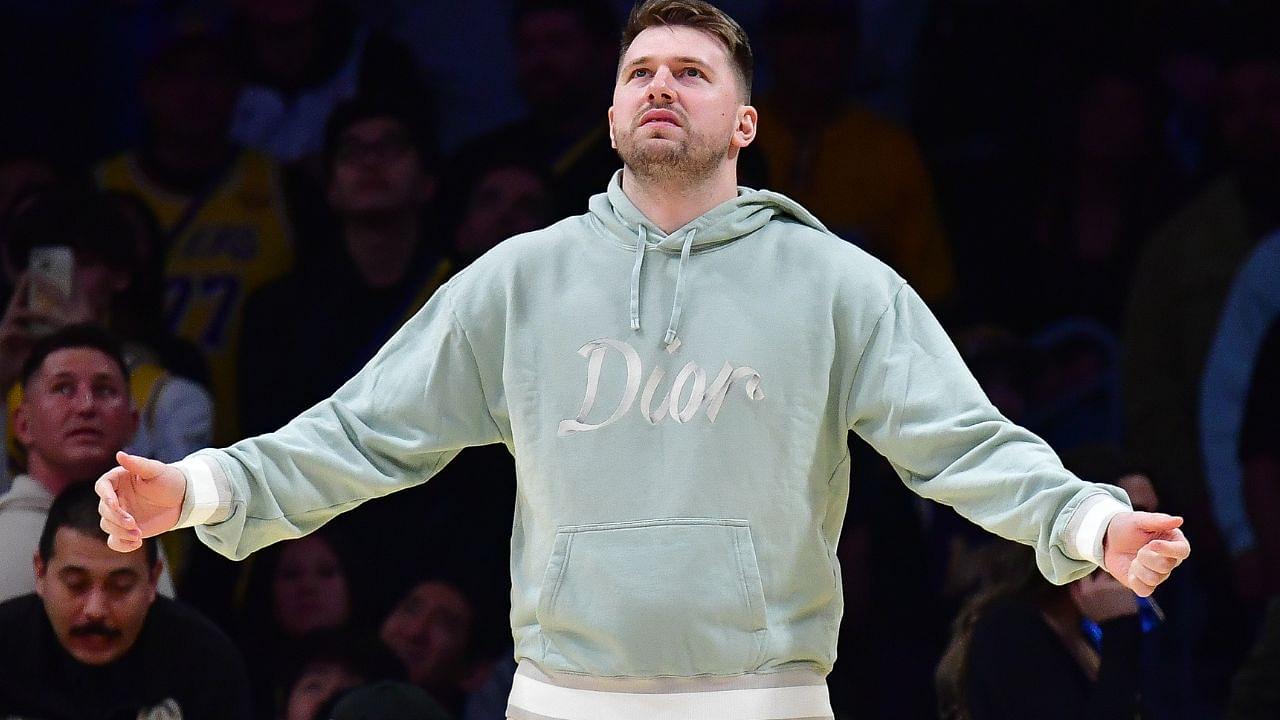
(554, 52)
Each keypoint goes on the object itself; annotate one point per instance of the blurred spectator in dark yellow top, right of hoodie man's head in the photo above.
(862, 174)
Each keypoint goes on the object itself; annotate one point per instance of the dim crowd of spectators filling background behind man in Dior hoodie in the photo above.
(258, 194)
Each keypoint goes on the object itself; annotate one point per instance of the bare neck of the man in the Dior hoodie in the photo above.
(674, 203)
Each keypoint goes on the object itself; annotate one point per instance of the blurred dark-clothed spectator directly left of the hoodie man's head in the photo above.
(565, 52)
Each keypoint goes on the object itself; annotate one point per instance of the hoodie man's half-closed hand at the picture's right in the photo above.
(1142, 549)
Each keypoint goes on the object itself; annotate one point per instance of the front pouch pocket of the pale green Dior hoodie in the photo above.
(656, 598)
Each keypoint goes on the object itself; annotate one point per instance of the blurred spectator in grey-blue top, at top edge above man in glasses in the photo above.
(304, 58)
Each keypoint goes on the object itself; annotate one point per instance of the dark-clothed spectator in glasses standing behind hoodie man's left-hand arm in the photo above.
(380, 266)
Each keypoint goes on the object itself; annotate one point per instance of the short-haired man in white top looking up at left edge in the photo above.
(76, 413)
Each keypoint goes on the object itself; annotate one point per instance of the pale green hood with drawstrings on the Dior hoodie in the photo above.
(625, 225)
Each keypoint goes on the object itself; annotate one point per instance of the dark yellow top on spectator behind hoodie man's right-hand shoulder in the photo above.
(865, 177)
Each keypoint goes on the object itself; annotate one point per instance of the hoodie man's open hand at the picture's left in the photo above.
(140, 499)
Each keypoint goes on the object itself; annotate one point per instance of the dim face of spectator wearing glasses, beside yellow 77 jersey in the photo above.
(377, 170)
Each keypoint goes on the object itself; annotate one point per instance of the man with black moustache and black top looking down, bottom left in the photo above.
(97, 642)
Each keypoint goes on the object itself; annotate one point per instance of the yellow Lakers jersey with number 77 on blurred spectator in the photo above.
(237, 241)
